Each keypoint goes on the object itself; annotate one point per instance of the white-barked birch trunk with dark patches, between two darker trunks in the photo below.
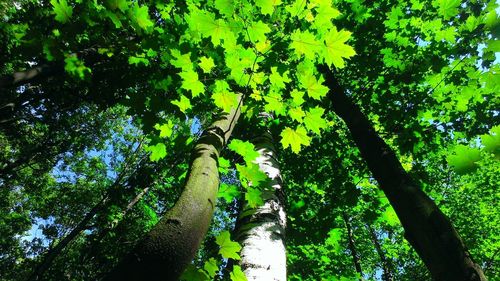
(261, 231)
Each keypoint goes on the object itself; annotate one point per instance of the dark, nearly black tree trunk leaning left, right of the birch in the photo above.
(427, 229)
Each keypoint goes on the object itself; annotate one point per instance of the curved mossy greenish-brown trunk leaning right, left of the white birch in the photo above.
(171, 245)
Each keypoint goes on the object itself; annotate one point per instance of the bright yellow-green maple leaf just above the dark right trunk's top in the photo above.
(334, 50)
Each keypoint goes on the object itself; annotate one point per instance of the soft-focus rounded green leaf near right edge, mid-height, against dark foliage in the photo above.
(463, 159)
